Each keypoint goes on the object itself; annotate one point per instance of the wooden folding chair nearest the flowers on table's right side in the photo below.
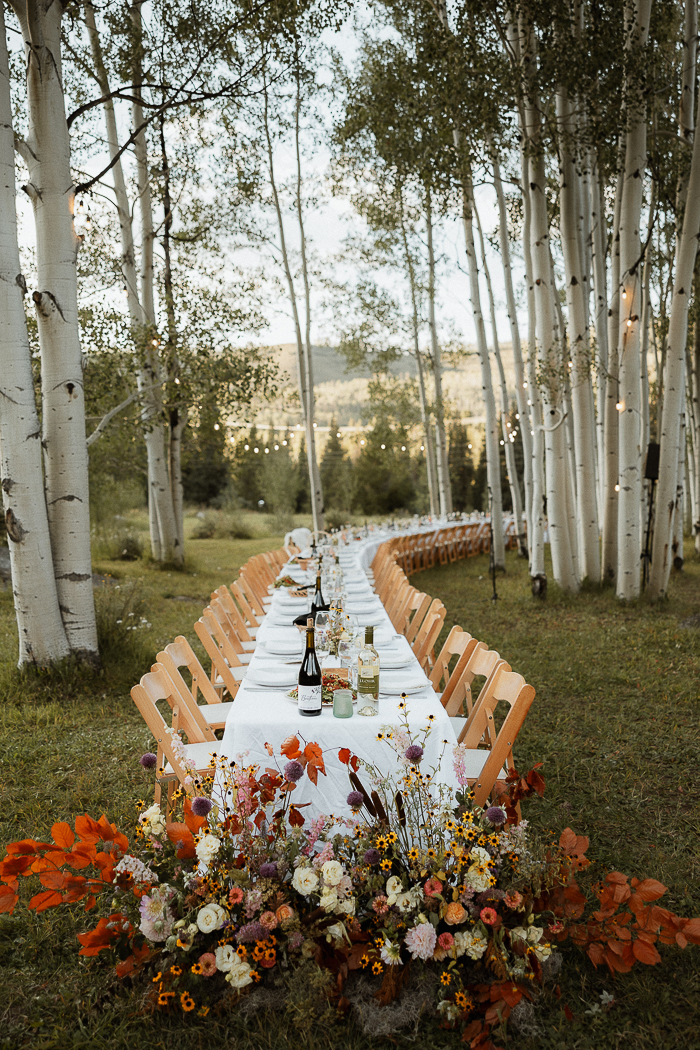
(504, 687)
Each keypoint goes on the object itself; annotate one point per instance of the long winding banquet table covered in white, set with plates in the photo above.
(266, 716)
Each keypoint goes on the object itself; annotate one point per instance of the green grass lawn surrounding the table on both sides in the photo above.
(616, 723)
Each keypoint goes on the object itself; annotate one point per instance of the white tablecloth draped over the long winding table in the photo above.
(269, 717)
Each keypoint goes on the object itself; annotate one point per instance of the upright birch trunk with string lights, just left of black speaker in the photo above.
(630, 467)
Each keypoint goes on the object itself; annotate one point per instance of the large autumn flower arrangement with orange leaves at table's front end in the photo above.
(418, 884)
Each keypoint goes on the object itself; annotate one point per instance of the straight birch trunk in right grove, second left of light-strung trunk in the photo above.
(582, 404)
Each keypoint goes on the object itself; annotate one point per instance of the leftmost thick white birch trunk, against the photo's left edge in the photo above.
(43, 637)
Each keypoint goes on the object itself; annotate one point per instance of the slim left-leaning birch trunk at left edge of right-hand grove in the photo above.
(492, 429)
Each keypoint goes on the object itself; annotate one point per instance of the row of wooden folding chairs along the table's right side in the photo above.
(493, 720)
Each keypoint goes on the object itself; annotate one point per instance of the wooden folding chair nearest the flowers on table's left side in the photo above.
(200, 749)
